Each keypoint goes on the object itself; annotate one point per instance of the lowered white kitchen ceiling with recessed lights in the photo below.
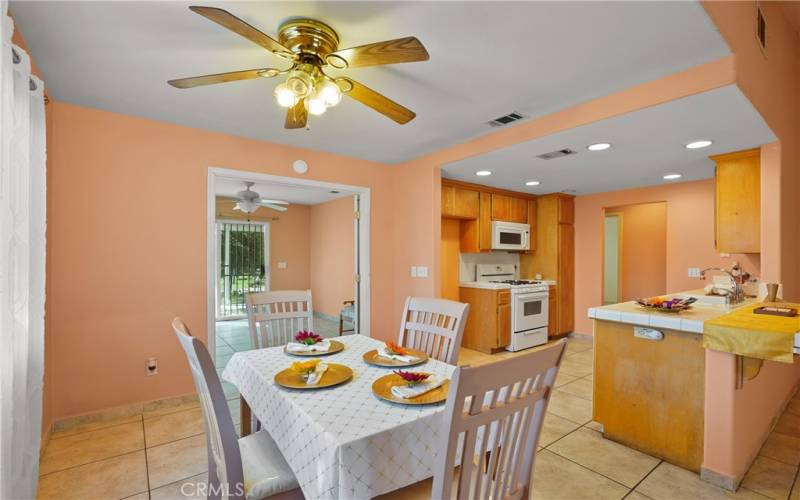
(647, 144)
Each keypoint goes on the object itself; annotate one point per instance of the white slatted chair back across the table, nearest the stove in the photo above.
(434, 326)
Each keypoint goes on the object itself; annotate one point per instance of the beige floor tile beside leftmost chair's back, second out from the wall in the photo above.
(177, 460)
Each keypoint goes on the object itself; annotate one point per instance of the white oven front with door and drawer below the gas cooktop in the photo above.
(528, 319)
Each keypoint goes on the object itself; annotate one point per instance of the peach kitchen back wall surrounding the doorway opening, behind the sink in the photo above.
(690, 239)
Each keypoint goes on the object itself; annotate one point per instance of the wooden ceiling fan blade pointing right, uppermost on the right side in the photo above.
(400, 50)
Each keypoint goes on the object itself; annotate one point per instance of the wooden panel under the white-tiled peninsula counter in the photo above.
(650, 394)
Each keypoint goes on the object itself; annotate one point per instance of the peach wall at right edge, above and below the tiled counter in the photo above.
(737, 421)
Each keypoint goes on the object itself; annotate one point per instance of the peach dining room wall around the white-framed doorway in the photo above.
(128, 251)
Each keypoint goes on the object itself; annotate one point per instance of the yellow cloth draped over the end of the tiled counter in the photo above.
(760, 336)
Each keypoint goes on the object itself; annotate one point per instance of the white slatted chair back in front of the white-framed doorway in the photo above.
(275, 317)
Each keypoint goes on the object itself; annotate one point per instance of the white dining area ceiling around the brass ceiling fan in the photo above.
(487, 59)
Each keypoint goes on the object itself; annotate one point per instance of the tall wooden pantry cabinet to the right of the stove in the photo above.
(554, 257)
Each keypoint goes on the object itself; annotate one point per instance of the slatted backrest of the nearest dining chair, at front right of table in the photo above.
(493, 418)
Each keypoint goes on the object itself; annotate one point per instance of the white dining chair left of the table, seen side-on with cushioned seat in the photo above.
(250, 467)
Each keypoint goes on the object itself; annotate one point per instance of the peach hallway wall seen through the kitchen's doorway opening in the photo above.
(644, 249)
